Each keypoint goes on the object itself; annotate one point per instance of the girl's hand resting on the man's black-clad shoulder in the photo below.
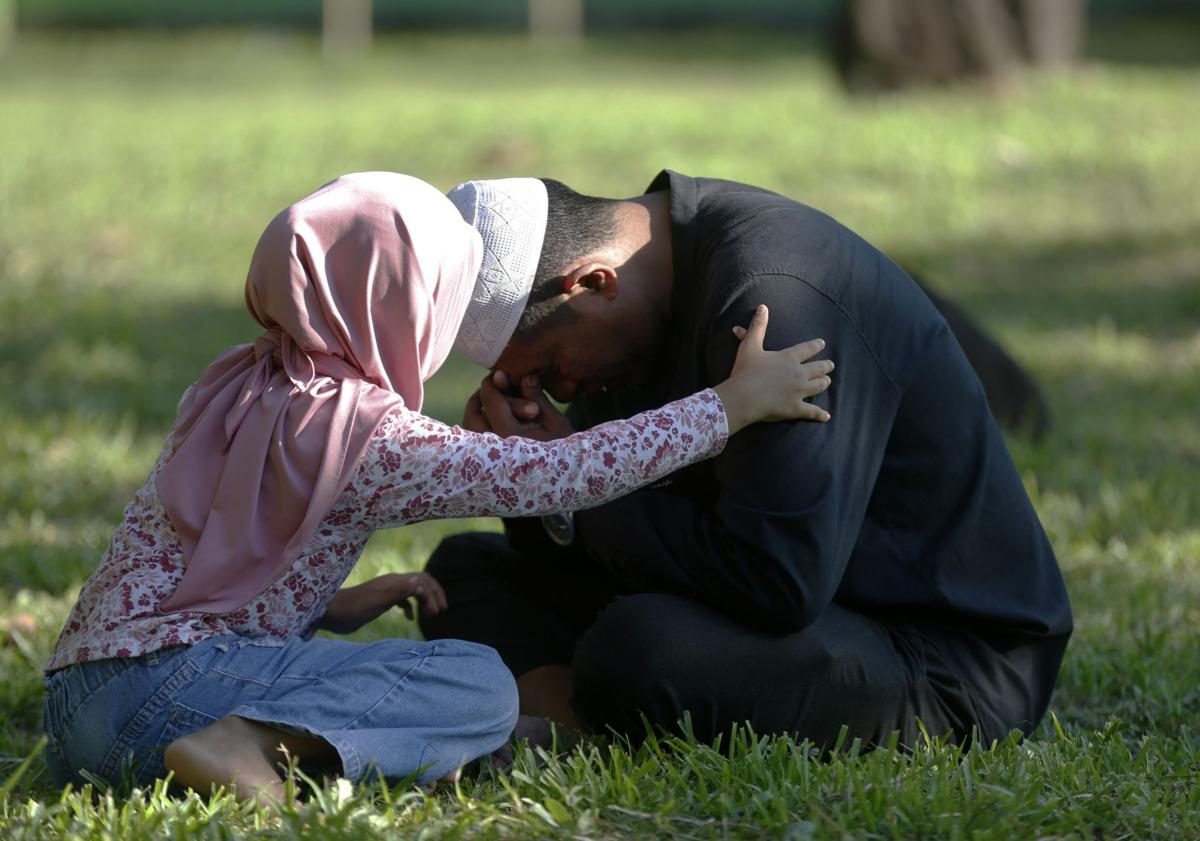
(770, 386)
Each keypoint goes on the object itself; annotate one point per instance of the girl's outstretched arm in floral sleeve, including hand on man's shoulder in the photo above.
(418, 468)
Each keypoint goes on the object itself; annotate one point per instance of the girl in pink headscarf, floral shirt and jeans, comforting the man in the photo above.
(191, 648)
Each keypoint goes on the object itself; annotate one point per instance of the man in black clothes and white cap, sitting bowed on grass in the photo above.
(877, 573)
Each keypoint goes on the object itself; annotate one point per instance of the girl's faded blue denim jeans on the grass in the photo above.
(397, 708)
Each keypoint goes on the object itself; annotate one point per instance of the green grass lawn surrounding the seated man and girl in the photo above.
(137, 172)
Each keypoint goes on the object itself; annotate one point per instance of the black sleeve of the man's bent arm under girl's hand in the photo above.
(772, 546)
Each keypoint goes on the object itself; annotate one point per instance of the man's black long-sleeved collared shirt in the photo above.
(905, 506)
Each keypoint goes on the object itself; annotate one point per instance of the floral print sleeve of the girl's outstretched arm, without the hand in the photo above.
(418, 468)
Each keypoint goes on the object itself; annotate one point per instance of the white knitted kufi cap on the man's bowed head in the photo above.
(511, 218)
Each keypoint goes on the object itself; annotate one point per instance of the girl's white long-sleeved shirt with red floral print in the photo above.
(416, 468)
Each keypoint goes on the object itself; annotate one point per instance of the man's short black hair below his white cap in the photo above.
(577, 225)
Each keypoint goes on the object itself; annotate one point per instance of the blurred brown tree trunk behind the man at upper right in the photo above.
(902, 44)
